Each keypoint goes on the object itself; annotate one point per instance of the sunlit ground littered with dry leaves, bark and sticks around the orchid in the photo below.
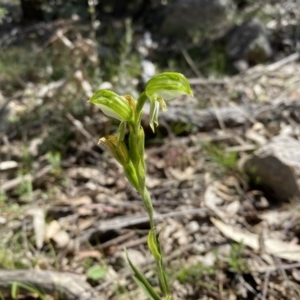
(68, 212)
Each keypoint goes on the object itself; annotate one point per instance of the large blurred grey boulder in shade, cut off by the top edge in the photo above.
(184, 17)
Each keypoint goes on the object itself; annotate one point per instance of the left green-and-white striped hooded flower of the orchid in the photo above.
(113, 105)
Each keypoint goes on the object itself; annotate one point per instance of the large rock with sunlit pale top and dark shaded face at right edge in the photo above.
(276, 167)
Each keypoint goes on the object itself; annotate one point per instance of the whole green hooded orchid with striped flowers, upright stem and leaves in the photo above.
(164, 86)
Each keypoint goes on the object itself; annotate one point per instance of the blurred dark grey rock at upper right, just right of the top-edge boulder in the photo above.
(250, 42)
